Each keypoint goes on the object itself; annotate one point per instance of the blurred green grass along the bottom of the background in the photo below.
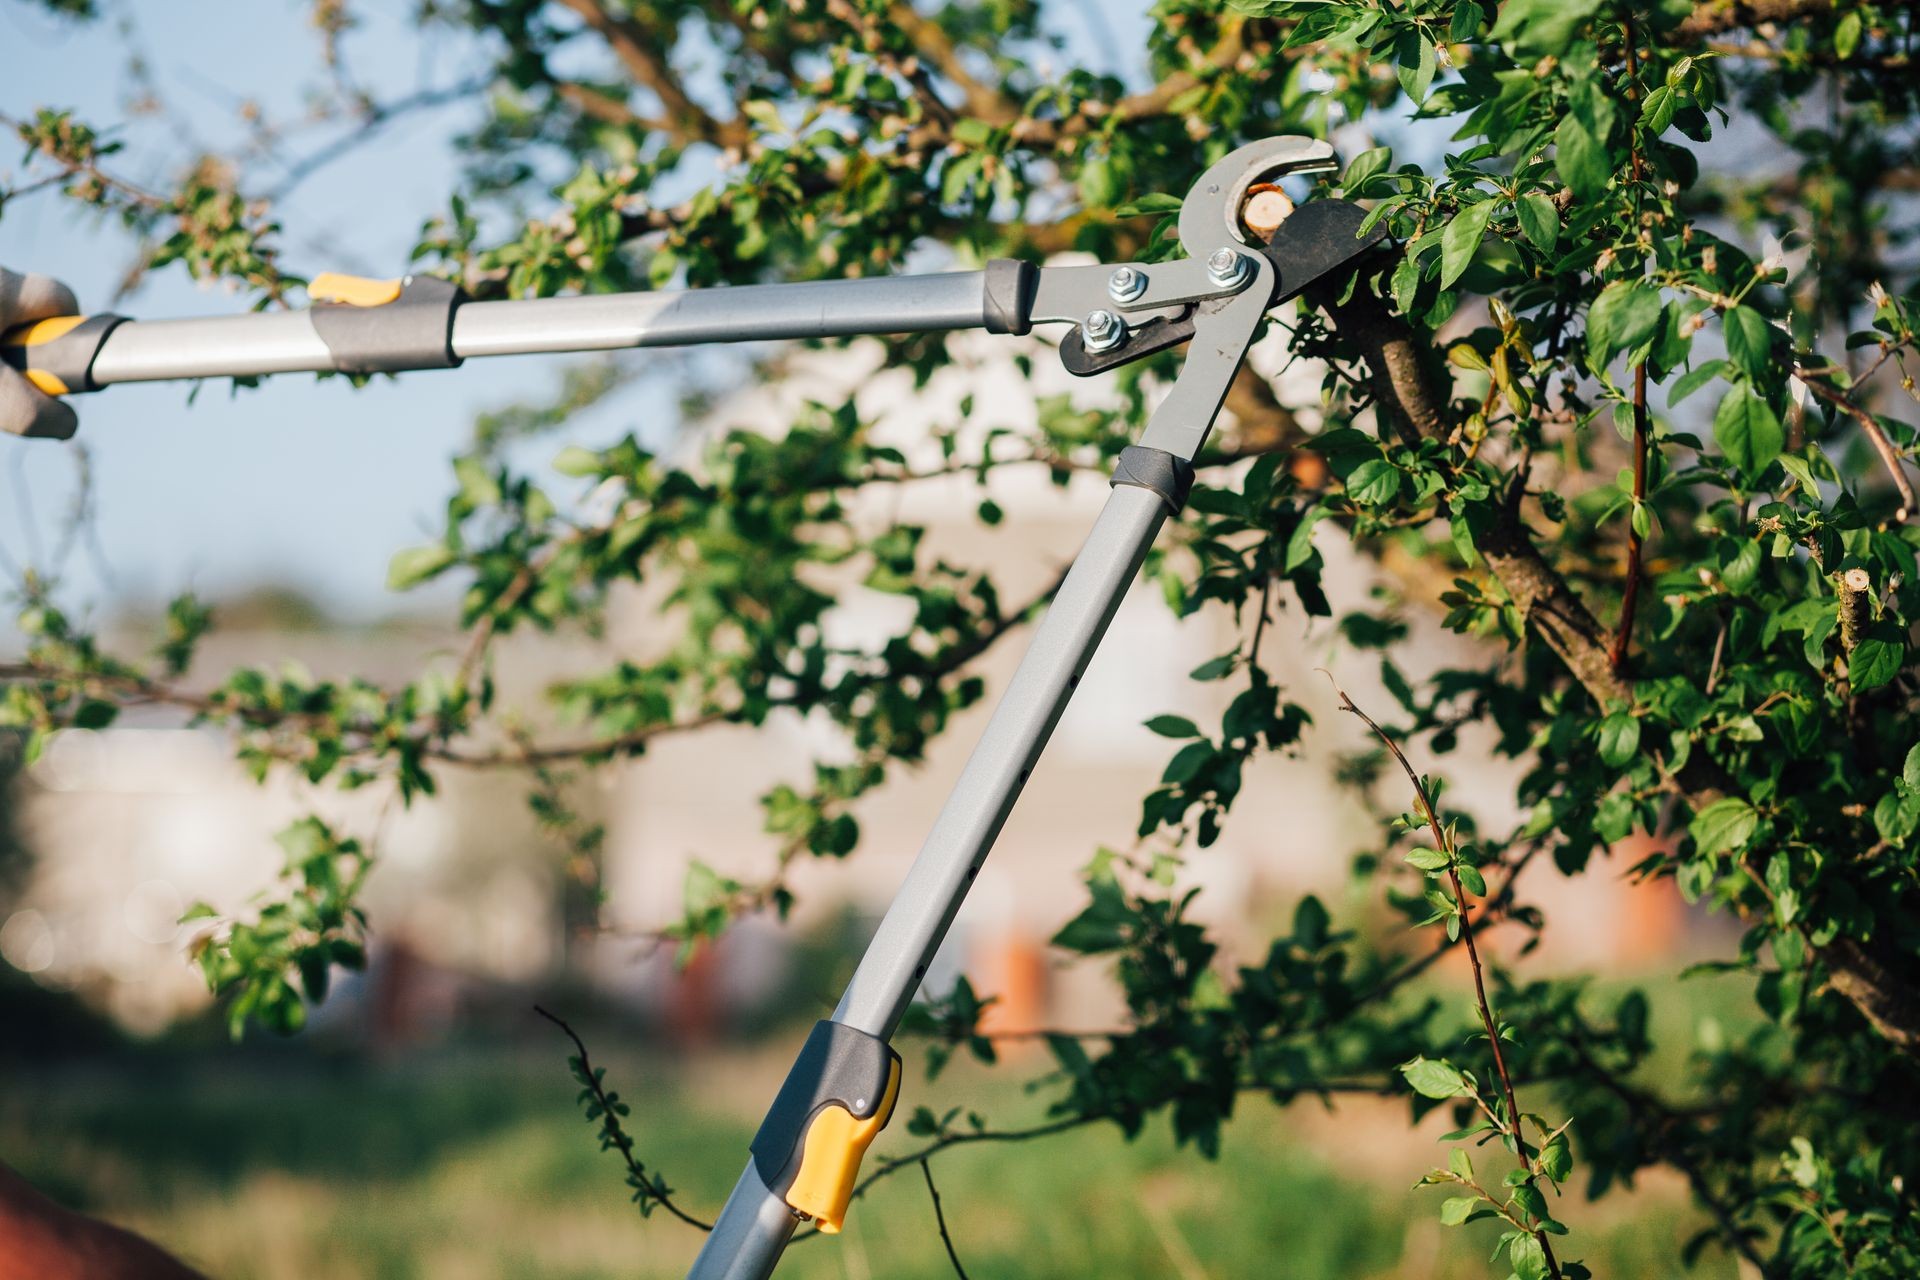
(481, 1166)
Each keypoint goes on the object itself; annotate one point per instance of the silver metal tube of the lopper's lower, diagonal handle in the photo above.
(756, 1225)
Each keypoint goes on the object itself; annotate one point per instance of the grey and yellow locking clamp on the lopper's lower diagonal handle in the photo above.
(836, 1101)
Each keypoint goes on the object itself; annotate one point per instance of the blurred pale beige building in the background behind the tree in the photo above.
(133, 824)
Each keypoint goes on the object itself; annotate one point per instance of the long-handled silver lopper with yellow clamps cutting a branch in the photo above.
(1249, 250)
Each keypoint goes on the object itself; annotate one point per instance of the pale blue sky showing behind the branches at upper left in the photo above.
(300, 483)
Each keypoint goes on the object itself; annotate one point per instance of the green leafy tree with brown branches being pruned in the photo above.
(1629, 392)
